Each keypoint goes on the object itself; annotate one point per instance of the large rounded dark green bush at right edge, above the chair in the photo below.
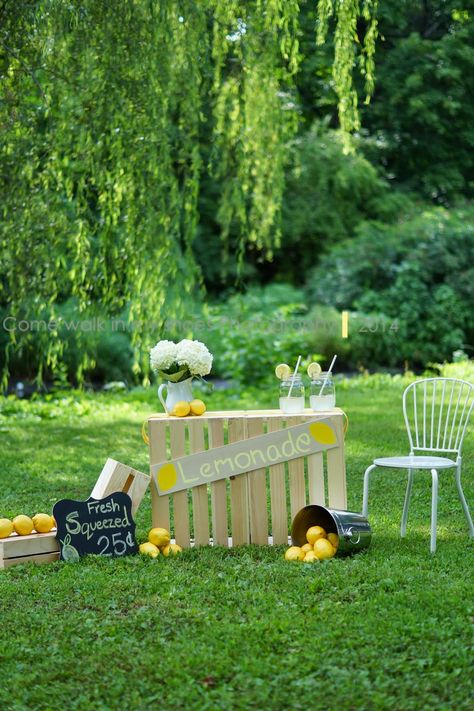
(418, 273)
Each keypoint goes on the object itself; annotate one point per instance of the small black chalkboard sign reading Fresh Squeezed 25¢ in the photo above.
(96, 526)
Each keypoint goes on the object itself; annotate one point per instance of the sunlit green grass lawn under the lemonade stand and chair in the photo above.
(391, 628)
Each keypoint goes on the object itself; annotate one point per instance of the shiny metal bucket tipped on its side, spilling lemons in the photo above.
(352, 528)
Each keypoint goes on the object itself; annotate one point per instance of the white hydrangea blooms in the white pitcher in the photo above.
(176, 362)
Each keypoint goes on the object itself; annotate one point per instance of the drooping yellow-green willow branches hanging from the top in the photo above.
(104, 110)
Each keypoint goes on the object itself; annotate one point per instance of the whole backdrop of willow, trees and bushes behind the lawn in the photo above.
(153, 153)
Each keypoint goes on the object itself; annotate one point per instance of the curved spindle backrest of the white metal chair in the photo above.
(436, 412)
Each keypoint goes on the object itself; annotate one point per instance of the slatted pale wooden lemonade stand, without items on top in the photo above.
(231, 505)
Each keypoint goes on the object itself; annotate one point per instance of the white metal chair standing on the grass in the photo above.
(436, 412)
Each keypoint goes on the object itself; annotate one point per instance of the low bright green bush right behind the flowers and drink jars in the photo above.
(250, 333)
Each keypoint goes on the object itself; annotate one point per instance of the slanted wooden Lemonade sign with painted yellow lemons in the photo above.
(244, 456)
